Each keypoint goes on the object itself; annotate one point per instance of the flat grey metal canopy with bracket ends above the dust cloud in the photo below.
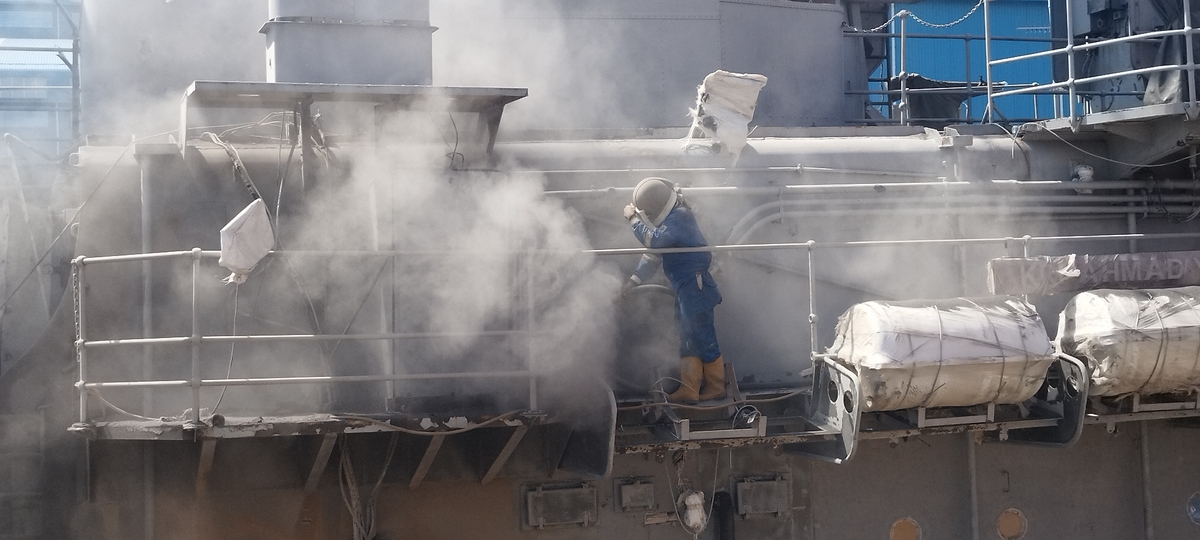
(488, 101)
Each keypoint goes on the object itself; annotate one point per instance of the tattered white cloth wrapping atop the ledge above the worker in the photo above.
(725, 104)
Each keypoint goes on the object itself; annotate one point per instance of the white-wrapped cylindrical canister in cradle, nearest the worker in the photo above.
(945, 353)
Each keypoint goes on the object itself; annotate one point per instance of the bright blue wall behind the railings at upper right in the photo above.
(947, 59)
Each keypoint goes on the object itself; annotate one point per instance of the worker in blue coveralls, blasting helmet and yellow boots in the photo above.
(662, 219)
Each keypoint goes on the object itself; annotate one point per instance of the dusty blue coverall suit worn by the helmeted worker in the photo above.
(697, 293)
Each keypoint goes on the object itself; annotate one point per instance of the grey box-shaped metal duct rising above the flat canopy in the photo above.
(350, 41)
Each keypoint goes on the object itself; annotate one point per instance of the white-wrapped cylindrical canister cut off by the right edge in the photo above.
(1136, 341)
